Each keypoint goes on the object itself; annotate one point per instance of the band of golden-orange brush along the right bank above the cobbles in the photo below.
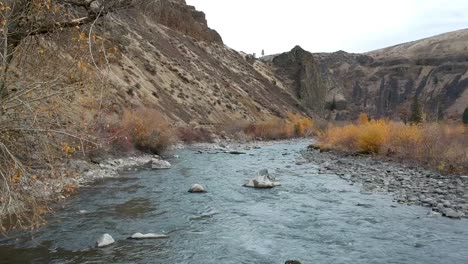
(441, 146)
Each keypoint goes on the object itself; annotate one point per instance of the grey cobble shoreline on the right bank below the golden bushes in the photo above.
(445, 195)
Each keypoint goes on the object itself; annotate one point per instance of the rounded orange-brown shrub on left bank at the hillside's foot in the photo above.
(146, 129)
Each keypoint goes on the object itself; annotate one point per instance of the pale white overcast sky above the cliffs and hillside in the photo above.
(329, 25)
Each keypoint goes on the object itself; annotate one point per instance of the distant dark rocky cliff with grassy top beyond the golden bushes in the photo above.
(383, 83)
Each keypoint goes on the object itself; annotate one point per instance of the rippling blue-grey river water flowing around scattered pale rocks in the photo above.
(312, 218)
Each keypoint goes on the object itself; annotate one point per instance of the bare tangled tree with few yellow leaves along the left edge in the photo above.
(32, 132)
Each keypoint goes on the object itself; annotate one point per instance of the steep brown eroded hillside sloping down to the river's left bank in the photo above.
(159, 54)
